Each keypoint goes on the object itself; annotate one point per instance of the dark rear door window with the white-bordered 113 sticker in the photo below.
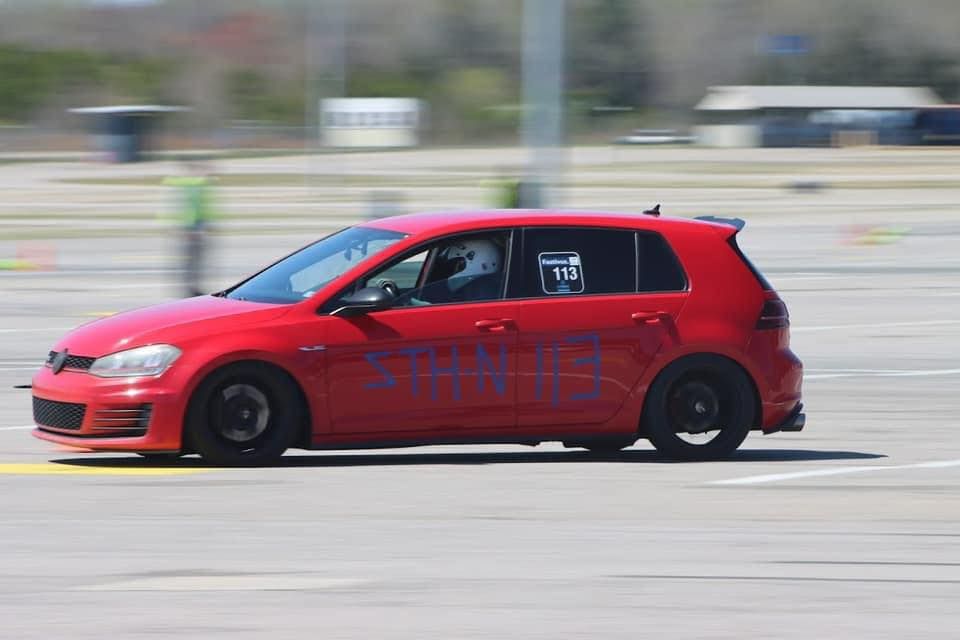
(572, 261)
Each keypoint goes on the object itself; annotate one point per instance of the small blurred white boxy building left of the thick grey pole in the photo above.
(370, 122)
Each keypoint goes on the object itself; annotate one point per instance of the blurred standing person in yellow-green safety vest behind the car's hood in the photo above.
(194, 217)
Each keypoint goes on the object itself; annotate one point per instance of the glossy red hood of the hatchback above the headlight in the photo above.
(169, 323)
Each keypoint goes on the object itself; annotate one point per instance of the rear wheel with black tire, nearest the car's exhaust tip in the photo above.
(701, 396)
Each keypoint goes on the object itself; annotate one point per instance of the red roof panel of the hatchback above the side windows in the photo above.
(441, 222)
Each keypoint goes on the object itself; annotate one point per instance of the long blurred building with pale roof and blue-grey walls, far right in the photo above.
(783, 116)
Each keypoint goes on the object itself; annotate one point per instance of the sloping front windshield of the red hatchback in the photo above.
(302, 274)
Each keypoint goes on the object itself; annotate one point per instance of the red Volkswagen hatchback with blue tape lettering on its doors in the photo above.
(485, 327)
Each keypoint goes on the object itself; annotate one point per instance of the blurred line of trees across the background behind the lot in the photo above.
(265, 60)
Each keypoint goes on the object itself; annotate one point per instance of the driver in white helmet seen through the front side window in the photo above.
(473, 268)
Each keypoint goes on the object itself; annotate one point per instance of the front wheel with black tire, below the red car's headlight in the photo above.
(245, 414)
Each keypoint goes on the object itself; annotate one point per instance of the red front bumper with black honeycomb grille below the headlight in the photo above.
(132, 414)
